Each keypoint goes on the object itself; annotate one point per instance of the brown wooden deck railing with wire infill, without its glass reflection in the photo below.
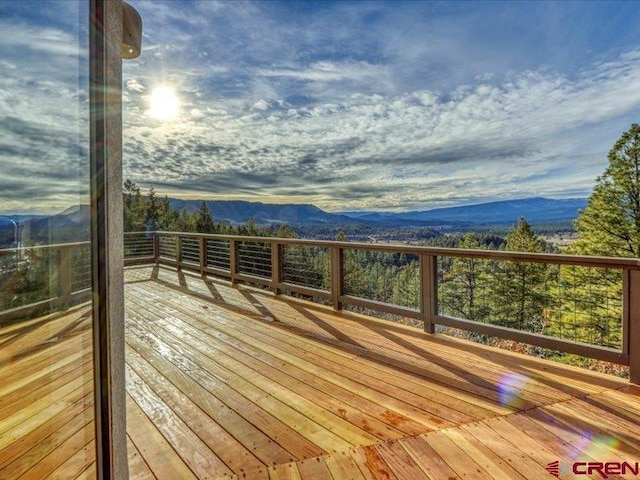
(601, 291)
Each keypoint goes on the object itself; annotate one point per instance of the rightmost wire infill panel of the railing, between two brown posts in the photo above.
(581, 304)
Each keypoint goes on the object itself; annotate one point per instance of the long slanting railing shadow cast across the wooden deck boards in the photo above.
(414, 342)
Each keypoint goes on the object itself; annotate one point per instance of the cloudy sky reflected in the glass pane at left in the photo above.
(43, 115)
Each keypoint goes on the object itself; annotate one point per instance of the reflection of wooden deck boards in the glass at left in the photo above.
(46, 398)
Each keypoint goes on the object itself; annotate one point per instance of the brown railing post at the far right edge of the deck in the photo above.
(632, 321)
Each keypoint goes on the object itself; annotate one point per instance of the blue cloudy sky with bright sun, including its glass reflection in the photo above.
(346, 105)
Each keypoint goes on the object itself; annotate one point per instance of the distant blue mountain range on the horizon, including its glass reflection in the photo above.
(73, 223)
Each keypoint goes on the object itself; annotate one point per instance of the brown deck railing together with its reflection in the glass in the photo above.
(599, 297)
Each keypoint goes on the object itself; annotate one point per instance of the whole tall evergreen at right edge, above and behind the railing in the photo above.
(610, 226)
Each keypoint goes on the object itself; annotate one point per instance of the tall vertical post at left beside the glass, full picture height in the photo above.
(105, 121)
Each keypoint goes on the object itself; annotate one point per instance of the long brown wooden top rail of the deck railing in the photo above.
(553, 258)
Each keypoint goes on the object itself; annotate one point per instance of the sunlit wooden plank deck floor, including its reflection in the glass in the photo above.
(234, 382)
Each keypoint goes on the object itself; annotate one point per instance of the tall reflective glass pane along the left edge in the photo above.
(46, 357)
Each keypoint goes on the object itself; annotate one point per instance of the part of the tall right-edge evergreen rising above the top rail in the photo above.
(610, 224)
